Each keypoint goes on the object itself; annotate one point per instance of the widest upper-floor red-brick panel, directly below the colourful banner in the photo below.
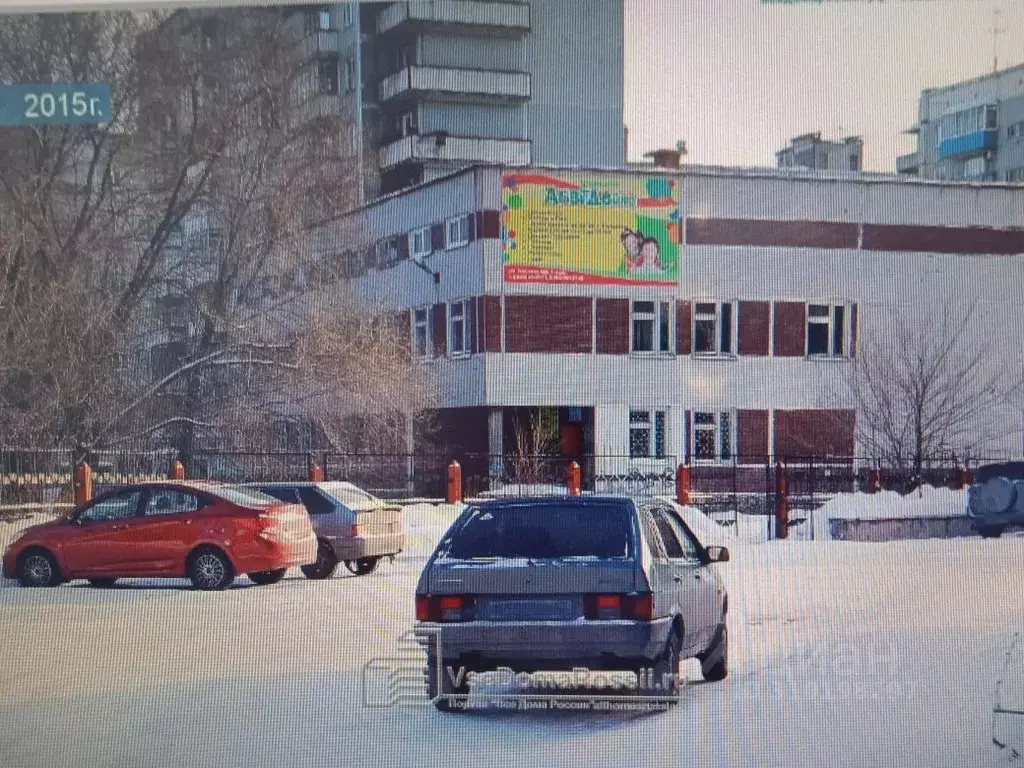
(549, 324)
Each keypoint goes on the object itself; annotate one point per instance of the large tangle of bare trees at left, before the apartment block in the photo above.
(166, 275)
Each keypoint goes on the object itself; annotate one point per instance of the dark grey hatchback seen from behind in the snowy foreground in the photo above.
(599, 583)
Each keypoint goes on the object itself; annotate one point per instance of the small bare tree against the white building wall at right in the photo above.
(930, 389)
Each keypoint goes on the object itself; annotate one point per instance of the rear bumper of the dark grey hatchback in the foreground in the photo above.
(540, 644)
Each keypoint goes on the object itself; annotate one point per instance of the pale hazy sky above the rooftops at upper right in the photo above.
(737, 79)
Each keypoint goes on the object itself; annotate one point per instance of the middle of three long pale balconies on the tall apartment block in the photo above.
(456, 84)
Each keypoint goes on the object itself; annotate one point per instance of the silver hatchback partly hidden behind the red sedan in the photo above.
(353, 527)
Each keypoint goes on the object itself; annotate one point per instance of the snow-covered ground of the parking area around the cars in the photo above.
(842, 655)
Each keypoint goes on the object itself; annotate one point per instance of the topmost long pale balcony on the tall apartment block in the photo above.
(472, 17)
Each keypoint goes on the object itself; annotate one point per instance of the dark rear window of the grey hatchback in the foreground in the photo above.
(542, 532)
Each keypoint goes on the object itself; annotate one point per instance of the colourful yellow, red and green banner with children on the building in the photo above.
(590, 231)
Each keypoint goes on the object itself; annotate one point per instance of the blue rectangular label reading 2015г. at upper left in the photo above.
(55, 104)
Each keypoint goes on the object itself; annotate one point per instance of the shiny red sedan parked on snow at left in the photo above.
(206, 532)
